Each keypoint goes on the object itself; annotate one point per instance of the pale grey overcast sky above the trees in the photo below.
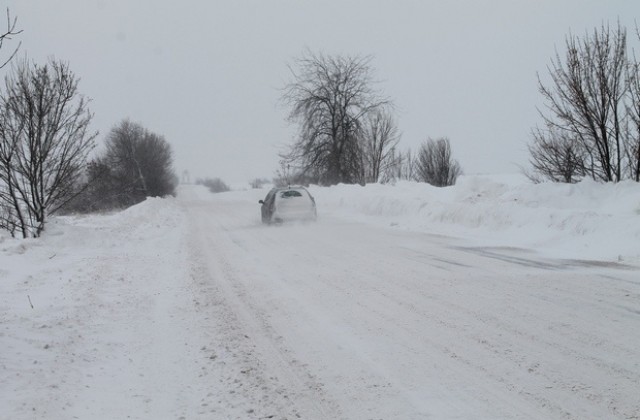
(208, 74)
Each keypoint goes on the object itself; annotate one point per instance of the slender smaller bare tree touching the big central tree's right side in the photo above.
(380, 138)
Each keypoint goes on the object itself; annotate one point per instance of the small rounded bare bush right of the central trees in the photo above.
(435, 165)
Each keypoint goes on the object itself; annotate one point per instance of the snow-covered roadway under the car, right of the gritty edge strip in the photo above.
(361, 322)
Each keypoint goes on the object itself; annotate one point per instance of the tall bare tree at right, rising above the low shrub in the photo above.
(585, 99)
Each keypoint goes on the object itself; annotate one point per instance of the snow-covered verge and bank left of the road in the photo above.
(82, 308)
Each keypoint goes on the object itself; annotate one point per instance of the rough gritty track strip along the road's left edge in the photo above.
(273, 384)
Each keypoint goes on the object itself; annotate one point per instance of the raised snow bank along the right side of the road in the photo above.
(588, 220)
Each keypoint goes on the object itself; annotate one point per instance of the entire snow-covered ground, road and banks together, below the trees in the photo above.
(493, 299)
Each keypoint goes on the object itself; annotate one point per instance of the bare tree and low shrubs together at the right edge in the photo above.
(592, 117)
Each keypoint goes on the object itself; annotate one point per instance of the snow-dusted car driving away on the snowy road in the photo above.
(287, 204)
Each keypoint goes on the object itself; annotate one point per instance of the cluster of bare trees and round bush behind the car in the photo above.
(347, 133)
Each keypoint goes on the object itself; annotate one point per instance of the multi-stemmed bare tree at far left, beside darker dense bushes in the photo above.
(44, 143)
